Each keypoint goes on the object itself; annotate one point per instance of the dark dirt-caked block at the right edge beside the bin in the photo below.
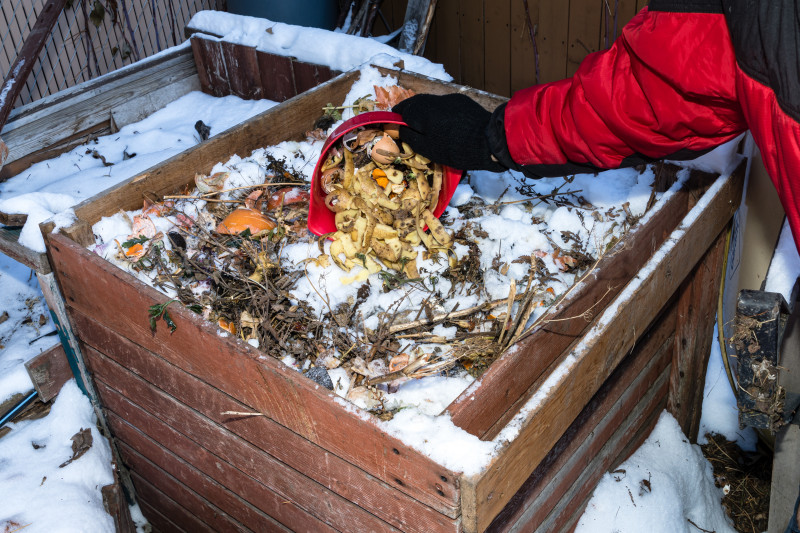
(769, 394)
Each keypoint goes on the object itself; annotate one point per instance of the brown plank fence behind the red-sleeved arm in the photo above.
(487, 44)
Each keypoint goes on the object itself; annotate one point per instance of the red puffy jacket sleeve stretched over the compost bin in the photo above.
(667, 87)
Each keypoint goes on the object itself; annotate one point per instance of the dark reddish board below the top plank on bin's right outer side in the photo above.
(602, 416)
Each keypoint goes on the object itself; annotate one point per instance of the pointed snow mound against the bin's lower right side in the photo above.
(666, 486)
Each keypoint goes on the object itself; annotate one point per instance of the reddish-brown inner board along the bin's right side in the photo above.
(487, 406)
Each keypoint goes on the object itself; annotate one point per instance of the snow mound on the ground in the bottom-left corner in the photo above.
(40, 488)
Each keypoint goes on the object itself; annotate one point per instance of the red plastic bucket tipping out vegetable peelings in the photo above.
(321, 220)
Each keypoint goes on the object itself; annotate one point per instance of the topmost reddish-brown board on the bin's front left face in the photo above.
(276, 390)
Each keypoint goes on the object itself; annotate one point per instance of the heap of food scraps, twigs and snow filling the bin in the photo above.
(396, 294)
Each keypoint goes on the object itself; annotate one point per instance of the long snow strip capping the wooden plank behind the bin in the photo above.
(338, 51)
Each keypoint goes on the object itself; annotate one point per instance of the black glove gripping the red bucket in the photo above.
(449, 129)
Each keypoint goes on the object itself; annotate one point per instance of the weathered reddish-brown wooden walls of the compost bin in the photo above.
(313, 462)
